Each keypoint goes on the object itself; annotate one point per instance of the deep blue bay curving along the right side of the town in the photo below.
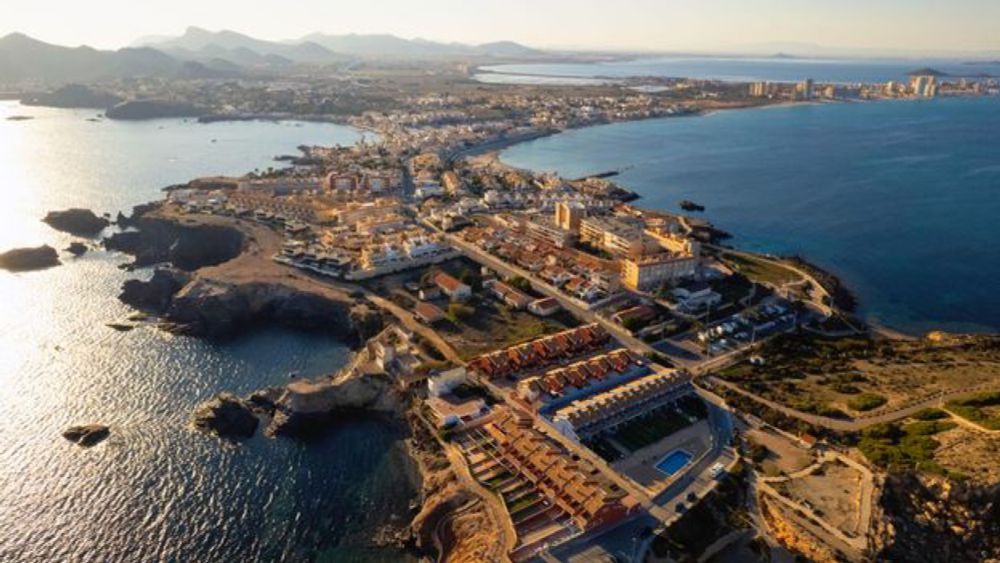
(901, 198)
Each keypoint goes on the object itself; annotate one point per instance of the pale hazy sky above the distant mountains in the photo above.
(920, 25)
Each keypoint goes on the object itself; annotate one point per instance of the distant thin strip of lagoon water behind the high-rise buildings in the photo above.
(732, 69)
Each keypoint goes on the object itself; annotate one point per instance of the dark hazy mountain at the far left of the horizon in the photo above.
(23, 59)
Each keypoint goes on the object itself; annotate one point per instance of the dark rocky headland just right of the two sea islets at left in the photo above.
(156, 241)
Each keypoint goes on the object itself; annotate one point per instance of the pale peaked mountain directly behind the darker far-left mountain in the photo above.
(201, 44)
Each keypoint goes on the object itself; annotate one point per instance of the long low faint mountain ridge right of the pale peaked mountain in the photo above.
(391, 46)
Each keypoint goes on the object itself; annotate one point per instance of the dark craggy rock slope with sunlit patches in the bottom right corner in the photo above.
(935, 519)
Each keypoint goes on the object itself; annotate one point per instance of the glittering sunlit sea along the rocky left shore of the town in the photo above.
(157, 490)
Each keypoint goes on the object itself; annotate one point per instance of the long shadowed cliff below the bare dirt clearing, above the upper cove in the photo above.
(216, 310)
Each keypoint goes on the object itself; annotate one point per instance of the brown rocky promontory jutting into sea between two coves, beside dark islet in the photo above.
(308, 406)
